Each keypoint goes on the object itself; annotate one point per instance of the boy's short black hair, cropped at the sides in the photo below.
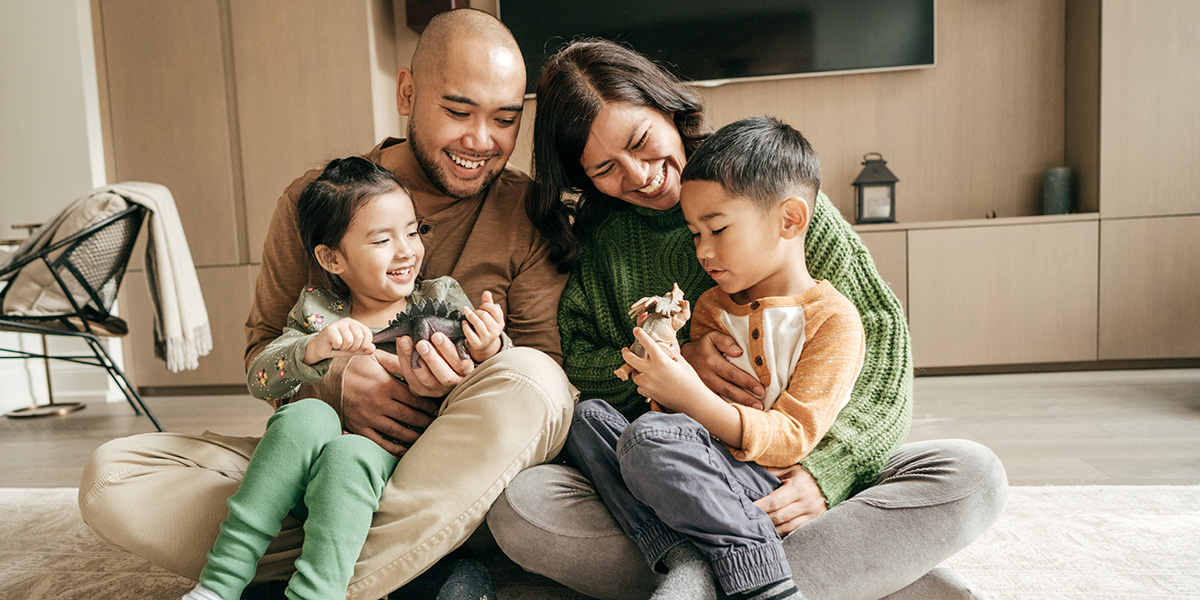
(761, 159)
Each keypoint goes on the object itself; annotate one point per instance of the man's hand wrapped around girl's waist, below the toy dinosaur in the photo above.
(381, 409)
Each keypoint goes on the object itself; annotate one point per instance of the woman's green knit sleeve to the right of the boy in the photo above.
(877, 421)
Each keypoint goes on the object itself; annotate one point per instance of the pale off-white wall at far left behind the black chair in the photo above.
(51, 153)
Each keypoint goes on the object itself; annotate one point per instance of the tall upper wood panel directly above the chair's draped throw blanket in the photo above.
(169, 117)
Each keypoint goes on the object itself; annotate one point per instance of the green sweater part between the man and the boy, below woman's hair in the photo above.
(634, 254)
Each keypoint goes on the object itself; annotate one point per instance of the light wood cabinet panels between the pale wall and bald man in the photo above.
(226, 103)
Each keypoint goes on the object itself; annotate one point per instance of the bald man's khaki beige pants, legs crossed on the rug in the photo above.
(163, 496)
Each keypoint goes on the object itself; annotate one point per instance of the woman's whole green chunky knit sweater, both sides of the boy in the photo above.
(639, 253)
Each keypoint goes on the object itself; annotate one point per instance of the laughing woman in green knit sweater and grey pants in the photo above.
(617, 129)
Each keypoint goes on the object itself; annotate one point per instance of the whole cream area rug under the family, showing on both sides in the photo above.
(1111, 543)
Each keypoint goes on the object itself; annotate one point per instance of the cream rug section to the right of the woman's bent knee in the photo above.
(1090, 543)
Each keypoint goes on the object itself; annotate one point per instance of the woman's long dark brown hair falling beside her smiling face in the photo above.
(575, 86)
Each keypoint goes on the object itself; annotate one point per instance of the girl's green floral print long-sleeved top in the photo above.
(279, 370)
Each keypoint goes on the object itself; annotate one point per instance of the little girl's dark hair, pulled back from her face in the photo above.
(328, 205)
